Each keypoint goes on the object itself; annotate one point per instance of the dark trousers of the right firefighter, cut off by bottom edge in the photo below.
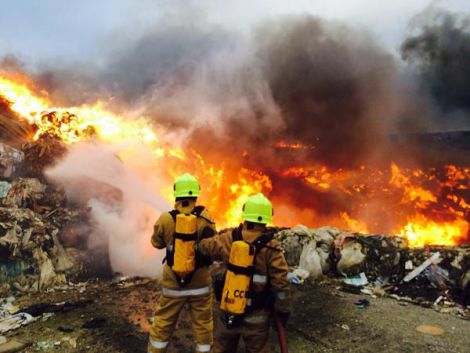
(255, 337)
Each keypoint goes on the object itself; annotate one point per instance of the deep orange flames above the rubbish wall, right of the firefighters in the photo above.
(424, 207)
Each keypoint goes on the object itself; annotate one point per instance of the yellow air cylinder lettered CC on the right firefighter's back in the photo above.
(236, 286)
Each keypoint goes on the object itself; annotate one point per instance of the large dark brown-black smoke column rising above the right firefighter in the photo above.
(333, 86)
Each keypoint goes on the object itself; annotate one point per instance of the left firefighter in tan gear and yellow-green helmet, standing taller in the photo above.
(186, 275)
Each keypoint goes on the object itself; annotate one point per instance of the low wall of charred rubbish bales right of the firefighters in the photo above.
(380, 265)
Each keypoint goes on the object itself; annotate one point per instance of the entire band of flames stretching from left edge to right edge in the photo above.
(424, 206)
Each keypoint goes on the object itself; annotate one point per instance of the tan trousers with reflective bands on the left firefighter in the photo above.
(166, 316)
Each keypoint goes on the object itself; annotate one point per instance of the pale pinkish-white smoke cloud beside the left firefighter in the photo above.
(123, 207)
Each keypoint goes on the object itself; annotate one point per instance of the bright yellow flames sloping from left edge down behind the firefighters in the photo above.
(223, 192)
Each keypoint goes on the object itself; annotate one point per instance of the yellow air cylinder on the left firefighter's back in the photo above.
(184, 261)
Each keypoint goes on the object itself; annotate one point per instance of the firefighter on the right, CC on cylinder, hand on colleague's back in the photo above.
(255, 281)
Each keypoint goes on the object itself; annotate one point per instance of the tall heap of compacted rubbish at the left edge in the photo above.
(35, 221)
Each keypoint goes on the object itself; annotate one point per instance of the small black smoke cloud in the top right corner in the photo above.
(440, 54)
